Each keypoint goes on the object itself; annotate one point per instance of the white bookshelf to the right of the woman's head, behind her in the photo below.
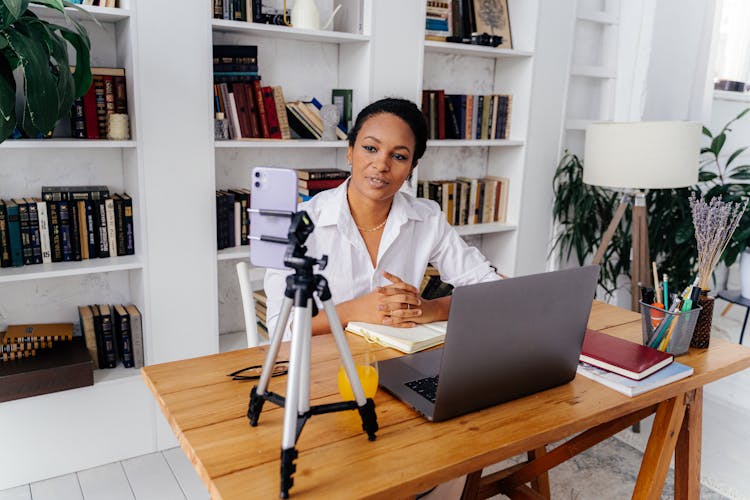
(478, 70)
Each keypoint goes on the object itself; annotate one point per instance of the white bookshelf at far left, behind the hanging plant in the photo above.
(115, 410)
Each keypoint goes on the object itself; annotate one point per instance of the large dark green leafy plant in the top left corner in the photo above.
(37, 51)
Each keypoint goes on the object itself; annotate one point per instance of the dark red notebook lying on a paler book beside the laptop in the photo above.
(623, 357)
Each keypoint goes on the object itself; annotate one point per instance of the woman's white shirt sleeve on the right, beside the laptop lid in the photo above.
(458, 263)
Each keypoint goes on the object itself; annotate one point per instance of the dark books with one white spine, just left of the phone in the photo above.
(232, 222)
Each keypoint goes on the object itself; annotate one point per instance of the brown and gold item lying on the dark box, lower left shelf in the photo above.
(23, 341)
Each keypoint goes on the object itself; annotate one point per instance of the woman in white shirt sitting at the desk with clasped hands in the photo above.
(378, 239)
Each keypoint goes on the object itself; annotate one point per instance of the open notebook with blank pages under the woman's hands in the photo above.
(407, 340)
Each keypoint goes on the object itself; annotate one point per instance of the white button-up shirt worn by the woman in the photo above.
(415, 234)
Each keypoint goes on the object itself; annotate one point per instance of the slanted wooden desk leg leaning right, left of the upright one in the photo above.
(660, 447)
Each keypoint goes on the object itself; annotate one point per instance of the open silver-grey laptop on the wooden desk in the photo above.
(505, 339)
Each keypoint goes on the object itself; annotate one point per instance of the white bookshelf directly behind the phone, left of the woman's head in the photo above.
(305, 63)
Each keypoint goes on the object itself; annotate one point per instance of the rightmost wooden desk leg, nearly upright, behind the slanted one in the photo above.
(687, 459)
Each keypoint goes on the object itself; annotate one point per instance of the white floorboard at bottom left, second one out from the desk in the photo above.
(151, 478)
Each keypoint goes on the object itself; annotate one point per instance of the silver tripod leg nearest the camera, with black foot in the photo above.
(291, 406)
